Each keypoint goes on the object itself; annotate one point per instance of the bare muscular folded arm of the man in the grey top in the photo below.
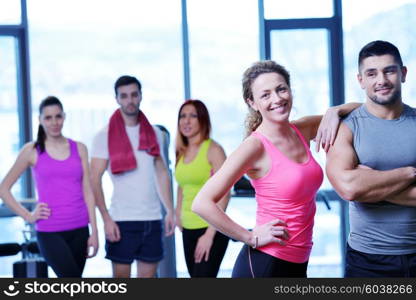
(357, 184)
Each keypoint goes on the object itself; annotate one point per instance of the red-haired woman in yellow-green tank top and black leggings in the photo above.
(197, 158)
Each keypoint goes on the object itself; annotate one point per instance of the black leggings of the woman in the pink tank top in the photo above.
(265, 265)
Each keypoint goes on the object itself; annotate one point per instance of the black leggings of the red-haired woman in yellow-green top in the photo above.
(204, 268)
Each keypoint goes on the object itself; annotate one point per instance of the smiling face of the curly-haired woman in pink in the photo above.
(272, 97)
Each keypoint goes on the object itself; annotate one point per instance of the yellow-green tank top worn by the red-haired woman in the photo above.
(191, 177)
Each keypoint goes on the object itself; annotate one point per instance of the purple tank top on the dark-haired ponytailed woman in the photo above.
(59, 184)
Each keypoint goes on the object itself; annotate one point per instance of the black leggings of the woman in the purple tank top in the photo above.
(65, 251)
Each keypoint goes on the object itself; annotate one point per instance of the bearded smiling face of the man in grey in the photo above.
(381, 78)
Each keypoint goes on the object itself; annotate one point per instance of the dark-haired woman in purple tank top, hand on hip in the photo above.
(65, 201)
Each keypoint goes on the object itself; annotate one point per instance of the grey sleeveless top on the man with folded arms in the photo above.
(383, 228)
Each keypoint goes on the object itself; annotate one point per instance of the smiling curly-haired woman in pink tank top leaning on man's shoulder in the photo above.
(285, 176)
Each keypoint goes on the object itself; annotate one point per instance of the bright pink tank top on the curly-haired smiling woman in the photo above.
(287, 192)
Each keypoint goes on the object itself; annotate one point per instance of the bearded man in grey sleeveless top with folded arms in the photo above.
(372, 165)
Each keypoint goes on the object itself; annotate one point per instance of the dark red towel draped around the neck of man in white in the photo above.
(121, 153)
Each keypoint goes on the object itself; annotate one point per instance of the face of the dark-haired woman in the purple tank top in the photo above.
(52, 120)
